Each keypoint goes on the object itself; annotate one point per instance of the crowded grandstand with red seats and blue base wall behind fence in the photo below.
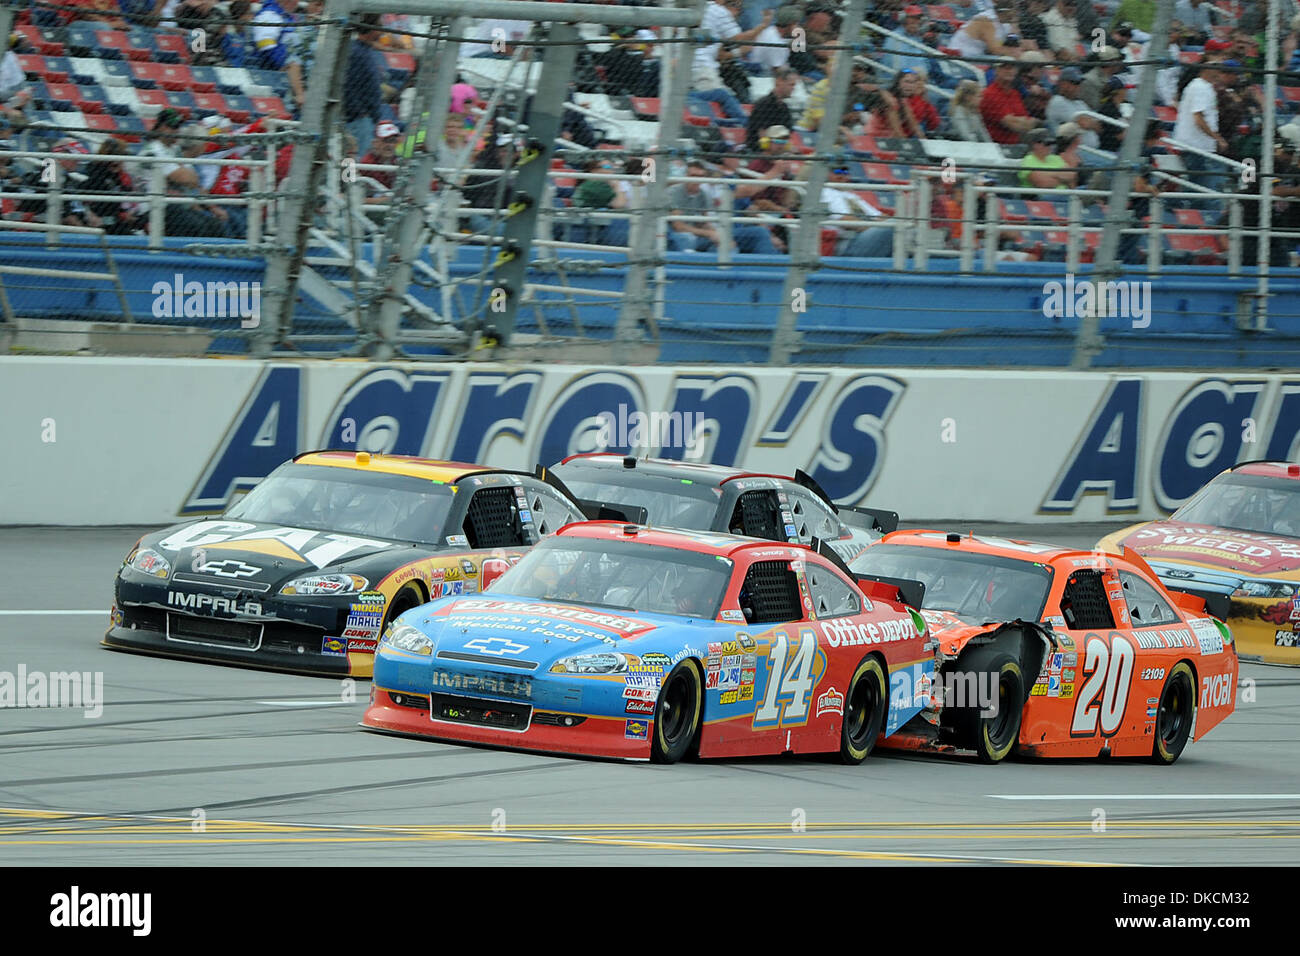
(159, 140)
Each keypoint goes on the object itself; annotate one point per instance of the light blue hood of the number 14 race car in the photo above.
(531, 634)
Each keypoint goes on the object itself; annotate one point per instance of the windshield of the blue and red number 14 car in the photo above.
(626, 576)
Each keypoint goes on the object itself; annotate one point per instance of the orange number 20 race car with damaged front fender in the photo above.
(1050, 652)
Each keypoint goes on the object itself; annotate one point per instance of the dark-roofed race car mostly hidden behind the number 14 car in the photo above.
(713, 498)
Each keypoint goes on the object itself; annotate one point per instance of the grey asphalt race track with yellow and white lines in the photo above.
(202, 764)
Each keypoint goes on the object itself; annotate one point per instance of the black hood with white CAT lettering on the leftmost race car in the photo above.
(257, 557)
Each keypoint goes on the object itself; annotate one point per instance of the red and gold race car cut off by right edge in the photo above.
(1237, 537)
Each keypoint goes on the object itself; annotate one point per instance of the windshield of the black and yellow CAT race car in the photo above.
(349, 500)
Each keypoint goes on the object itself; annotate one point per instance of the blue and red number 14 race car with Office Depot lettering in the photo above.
(616, 641)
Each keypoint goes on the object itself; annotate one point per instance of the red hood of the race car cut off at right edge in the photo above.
(1221, 548)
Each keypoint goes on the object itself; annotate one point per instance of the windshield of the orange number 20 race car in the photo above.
(980, 587)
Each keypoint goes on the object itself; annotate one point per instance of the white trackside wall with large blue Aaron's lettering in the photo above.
(125, 442)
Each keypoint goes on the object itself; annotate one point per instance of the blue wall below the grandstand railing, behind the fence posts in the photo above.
(1188, 318)
